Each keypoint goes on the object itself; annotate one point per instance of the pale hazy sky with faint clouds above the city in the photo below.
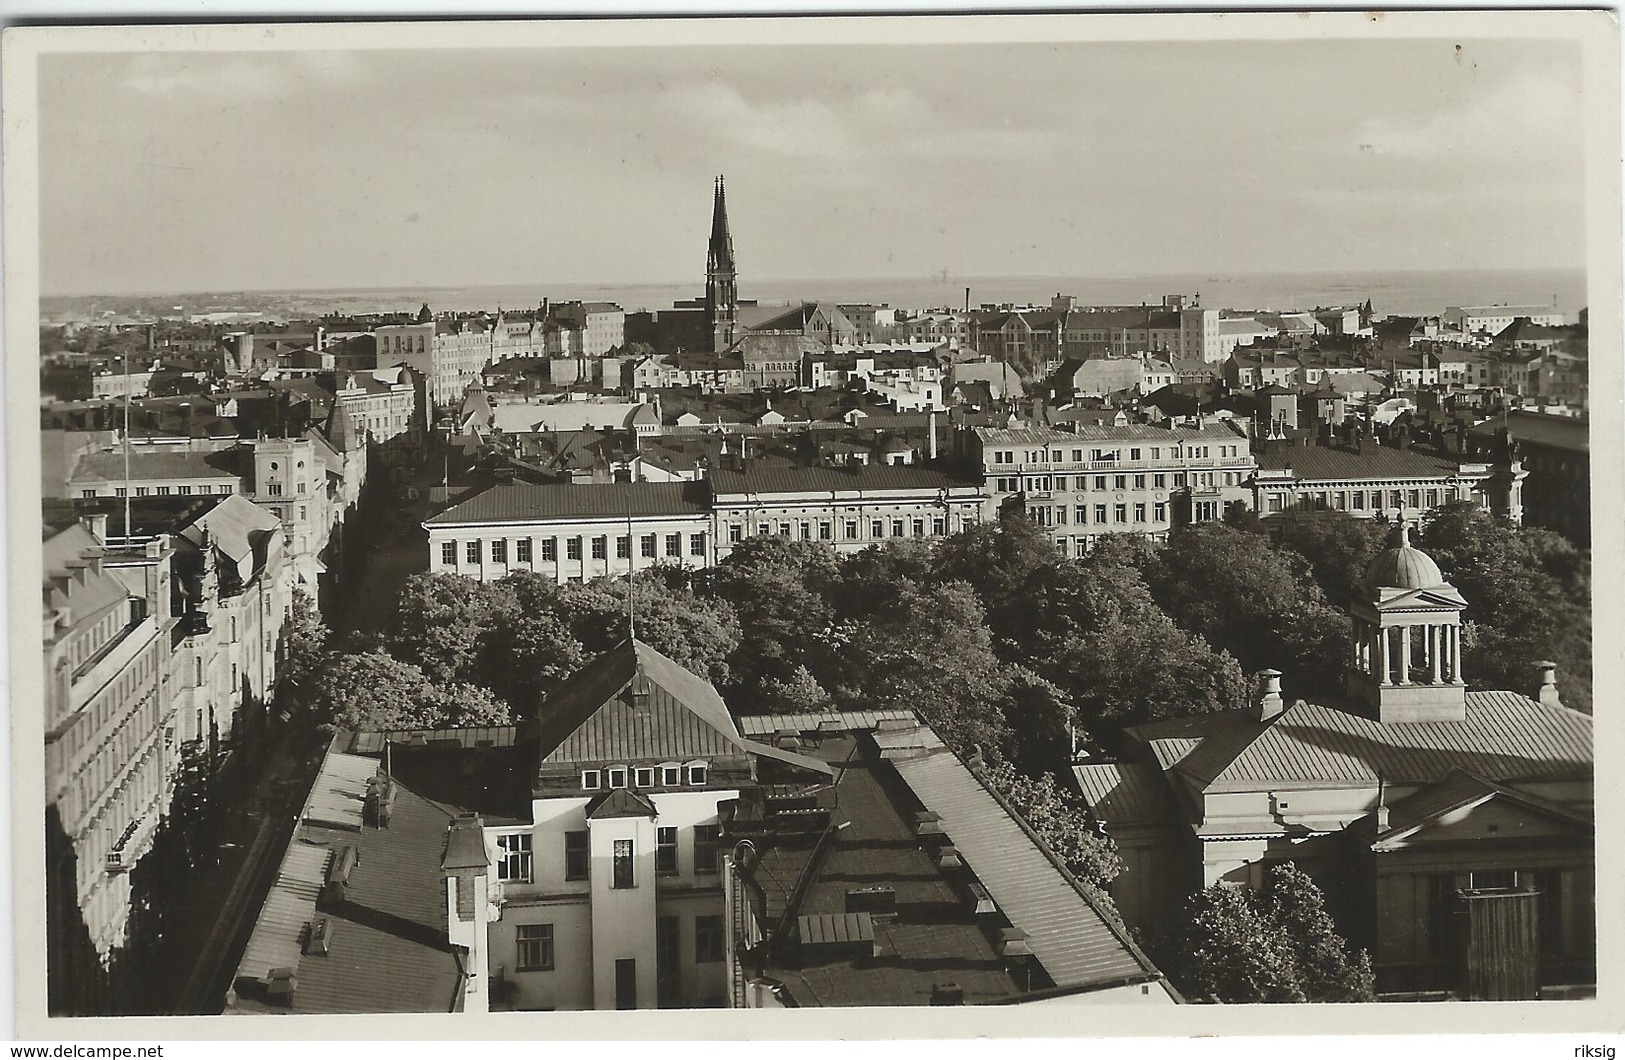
(436, 168)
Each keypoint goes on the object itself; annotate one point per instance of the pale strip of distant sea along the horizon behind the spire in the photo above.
(1392, 293)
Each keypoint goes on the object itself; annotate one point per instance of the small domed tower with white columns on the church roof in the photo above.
(1406, 651)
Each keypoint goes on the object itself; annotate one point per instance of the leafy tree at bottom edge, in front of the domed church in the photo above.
(1280, 944)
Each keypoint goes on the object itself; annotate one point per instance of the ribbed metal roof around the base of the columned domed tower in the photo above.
(1504, 737)
